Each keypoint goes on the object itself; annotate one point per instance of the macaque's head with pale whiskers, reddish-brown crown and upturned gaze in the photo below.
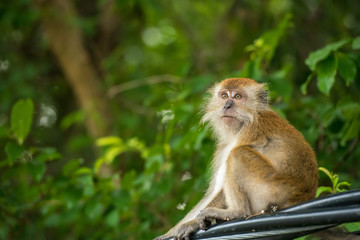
(233, 104)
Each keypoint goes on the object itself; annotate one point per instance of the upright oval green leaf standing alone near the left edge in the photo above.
(21, 119)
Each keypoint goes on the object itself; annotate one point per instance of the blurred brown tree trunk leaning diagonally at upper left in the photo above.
(66, 42)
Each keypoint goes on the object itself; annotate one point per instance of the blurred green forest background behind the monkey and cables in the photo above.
(100, 104)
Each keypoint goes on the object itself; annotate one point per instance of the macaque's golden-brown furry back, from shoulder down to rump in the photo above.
(290, 155)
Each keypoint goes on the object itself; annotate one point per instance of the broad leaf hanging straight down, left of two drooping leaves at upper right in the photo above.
(326, 71)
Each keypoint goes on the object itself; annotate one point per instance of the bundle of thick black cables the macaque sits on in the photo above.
(291, 222)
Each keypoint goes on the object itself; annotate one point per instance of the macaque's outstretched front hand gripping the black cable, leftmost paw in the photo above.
(182, 231)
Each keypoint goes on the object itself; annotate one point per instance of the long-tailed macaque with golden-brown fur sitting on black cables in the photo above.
(261, 161)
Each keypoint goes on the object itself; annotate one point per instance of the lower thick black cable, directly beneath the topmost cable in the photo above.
(285, 222)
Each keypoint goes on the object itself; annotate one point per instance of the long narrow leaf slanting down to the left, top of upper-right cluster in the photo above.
(322, 53)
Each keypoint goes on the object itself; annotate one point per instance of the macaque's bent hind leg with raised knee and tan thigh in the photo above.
(264, 186)
